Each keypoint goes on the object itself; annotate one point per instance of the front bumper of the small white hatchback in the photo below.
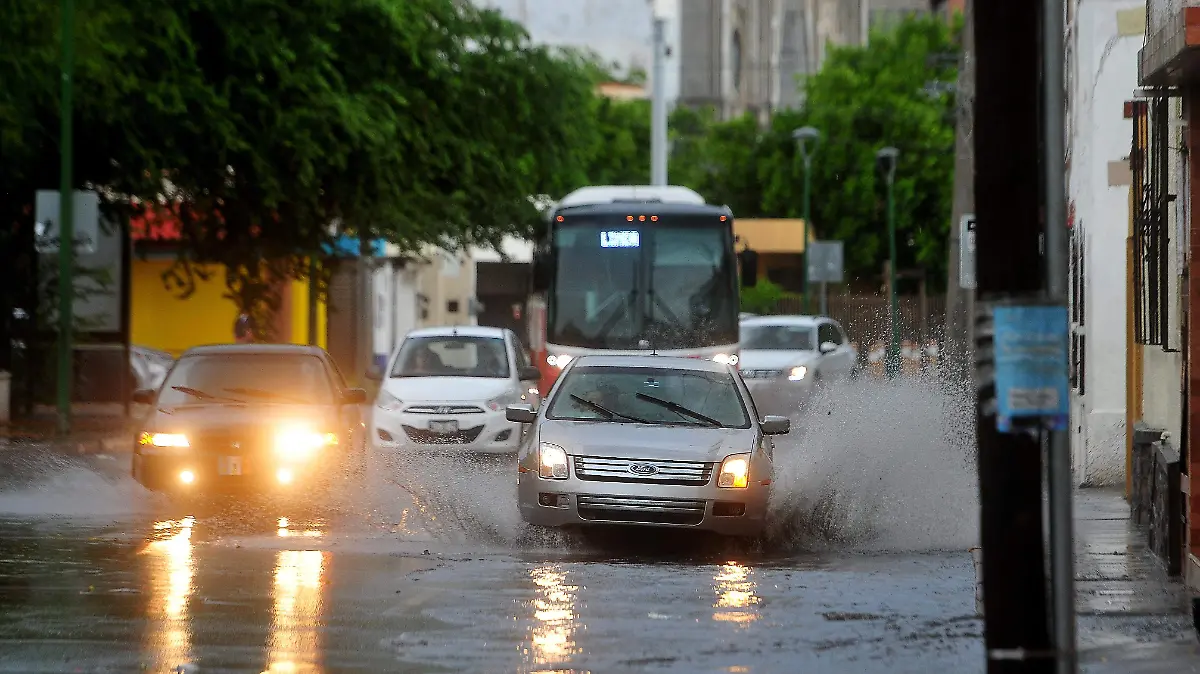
(489, 432)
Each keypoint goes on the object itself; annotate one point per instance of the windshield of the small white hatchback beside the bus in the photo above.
(453, 356)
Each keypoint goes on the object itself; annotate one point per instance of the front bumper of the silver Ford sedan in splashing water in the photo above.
(578, 503)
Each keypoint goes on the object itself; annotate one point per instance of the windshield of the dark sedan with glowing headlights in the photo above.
(244, 378)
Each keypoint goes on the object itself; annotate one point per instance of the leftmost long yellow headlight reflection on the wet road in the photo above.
(172, 570)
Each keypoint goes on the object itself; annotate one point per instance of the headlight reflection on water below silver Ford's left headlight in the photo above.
(553, 634)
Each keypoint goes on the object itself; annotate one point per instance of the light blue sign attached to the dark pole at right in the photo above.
(1031, 368)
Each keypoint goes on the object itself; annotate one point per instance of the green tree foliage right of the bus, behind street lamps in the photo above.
(862, 100)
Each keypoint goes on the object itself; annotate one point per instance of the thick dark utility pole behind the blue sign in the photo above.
(1007, 125)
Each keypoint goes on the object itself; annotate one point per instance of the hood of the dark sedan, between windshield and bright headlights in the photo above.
(209, 417)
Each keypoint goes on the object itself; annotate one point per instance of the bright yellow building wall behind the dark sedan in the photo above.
(160, 320)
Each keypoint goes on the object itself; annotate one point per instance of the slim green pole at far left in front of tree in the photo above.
(67, 226)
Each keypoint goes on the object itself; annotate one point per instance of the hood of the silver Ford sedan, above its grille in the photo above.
(646, 442)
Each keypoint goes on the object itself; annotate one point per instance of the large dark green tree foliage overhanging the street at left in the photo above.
(268, 128)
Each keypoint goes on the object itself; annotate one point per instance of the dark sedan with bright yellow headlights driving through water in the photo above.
(263, 416)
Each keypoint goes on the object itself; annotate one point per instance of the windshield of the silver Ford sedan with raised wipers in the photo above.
(651, 396)
